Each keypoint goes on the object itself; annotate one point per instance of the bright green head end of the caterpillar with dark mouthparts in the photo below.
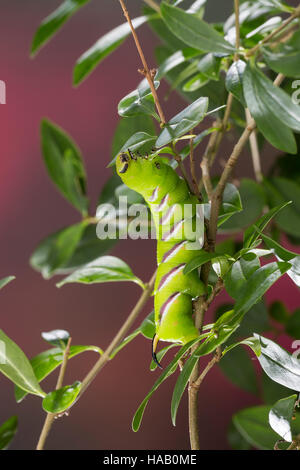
(139, 172)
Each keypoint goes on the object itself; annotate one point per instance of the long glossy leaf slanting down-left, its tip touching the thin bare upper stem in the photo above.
(102, 48)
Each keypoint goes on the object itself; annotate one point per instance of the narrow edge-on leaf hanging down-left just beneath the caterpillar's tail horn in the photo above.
(170, 369)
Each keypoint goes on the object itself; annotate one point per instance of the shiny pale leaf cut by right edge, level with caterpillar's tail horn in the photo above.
(278, 364)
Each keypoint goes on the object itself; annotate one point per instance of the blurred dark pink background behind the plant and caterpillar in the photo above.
(31, 208)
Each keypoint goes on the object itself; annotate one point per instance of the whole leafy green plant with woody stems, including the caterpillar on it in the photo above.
(239, 80)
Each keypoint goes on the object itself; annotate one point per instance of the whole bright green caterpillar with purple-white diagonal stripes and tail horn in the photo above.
(167, 195)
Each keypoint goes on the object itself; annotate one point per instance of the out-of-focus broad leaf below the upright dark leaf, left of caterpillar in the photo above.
(56, 250)
